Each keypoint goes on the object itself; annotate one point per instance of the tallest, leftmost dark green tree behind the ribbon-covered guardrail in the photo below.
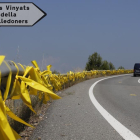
(94, 62)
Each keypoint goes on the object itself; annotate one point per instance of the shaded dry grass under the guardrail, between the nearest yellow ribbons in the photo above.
(22, 111)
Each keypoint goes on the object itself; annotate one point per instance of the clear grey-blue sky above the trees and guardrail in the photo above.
(75, 29)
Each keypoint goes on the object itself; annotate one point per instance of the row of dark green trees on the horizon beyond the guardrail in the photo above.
(95, 62)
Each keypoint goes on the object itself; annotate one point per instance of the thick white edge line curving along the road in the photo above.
(121, 129)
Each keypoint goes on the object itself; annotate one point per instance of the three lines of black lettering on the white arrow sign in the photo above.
(13, 10)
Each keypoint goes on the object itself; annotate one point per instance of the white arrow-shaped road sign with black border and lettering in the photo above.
(20, 14)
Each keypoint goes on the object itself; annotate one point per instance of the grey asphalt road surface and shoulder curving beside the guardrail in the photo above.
(74, 117)
